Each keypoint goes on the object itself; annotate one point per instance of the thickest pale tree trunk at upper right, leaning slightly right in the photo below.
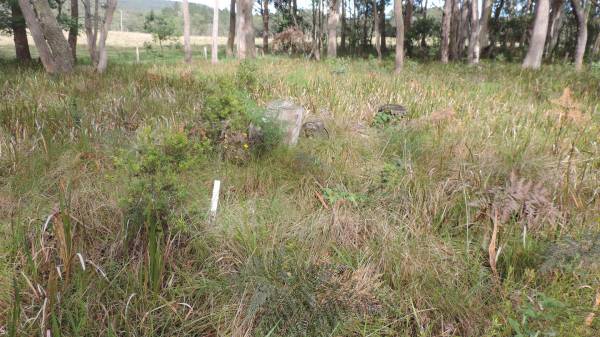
(533, 59)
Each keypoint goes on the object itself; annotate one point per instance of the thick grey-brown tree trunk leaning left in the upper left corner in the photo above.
(49, 39)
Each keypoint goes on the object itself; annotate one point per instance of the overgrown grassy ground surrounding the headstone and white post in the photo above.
(476, 215)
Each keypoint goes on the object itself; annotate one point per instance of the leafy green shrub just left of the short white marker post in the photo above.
(155, 192)
